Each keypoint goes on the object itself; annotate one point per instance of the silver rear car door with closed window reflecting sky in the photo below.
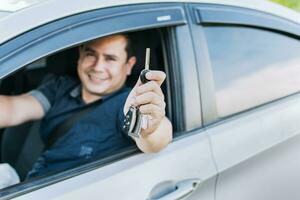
(249, 80)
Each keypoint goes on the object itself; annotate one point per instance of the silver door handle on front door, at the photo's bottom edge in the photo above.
(182, 190)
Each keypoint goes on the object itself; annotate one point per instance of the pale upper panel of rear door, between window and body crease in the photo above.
(254, 132)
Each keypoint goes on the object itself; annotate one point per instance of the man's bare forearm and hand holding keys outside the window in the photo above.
(150, 99)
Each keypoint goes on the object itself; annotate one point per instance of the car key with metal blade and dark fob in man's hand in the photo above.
(133, 121)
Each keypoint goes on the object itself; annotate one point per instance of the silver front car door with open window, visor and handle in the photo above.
(184, 168)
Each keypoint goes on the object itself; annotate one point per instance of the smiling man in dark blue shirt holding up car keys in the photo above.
(103, 66)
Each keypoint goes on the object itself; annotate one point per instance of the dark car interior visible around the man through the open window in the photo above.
(21, 145)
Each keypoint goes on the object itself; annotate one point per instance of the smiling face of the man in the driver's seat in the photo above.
(103, 66)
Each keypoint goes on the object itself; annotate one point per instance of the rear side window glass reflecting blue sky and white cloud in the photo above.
(251, 66)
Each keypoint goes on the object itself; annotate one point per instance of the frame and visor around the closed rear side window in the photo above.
(221, 15)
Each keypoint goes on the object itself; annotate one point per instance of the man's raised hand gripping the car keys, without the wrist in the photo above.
(150, 99)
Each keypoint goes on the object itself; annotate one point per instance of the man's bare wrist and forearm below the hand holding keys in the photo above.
(157, 140)
